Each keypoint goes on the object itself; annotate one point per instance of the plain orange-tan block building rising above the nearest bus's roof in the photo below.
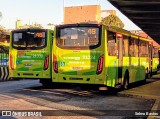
(78, 14)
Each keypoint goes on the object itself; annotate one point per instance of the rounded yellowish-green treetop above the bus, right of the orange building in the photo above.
(112, 20)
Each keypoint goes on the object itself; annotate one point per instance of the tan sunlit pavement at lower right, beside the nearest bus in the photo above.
(150, 90)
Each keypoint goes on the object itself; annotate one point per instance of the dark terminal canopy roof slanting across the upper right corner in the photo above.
(144, 13)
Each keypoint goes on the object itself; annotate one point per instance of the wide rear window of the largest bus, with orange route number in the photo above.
(78, 37)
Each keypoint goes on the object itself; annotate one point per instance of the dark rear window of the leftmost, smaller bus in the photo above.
(29, 40)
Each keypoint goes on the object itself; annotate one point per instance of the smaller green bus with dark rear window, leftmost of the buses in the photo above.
(30, 54)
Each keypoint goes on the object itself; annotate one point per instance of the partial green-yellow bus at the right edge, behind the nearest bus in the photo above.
(155, 59)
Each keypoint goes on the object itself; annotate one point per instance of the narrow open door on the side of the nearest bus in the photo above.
(120, 56)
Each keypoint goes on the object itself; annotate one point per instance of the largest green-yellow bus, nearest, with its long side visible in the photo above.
(98, 54)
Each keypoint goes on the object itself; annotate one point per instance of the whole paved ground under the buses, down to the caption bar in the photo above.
(29, 94)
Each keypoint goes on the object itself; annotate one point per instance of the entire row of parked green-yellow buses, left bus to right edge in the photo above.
(82, 54)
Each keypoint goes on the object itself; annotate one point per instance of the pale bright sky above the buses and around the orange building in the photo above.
(48, 11)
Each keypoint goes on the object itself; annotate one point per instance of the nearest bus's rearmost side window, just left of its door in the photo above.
(112, 47)
